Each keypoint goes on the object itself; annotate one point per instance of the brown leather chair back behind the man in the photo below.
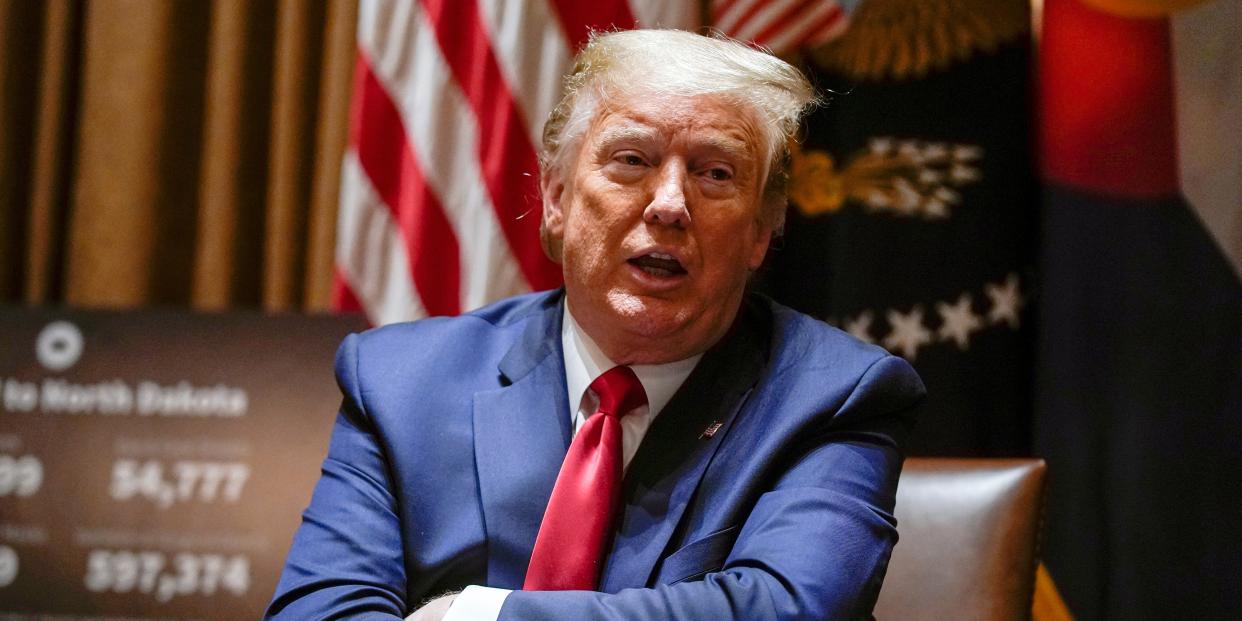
(969, 541)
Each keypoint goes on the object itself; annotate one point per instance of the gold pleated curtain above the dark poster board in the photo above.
(158, 153)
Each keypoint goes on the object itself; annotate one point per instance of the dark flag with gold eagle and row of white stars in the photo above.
(913, 209)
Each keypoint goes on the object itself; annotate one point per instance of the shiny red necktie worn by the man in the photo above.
(578, 522)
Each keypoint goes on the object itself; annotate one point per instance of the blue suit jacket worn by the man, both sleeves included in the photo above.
(453, 432)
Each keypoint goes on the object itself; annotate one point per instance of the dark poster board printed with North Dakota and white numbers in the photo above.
(155, 465)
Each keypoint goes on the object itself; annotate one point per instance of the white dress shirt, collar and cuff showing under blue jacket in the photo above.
(584, 363)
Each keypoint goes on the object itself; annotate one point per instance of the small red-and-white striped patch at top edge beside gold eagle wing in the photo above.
(781, 25)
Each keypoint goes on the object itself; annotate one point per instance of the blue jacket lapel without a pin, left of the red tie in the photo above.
(521, 435)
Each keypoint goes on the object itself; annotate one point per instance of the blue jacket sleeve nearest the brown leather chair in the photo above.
(815, 546)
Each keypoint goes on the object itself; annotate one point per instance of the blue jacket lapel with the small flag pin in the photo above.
(670, 464)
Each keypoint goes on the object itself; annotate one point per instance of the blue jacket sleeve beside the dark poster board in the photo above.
(346, 558)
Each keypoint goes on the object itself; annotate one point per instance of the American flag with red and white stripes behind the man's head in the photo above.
(440, 192)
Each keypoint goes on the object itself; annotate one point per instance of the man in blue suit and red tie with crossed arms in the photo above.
(761, 458)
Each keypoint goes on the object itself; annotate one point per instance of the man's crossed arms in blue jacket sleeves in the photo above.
(815, 546)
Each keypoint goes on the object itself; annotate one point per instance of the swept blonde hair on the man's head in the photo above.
(682, 64)
